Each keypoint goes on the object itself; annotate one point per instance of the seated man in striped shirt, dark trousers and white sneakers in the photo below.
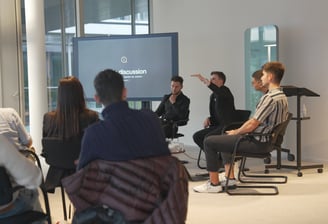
(270, 111)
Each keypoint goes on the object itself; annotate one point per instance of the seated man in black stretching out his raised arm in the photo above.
(221, 108)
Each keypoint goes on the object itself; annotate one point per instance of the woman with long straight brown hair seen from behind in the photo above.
(67, 122)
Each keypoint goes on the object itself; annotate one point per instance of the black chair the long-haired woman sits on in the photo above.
(61, 155)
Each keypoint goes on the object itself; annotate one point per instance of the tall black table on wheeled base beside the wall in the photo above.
(298, 92)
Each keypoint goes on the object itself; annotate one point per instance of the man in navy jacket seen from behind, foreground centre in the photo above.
(124, 134)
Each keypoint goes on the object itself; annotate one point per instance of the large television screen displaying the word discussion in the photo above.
(146, 62)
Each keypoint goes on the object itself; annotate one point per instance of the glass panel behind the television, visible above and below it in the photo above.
(112, 17)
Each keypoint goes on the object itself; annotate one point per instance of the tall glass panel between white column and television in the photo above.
(59, 16)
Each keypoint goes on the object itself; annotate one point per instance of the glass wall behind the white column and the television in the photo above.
(99, 17)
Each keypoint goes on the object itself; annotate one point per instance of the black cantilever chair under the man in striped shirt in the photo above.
(257, 179)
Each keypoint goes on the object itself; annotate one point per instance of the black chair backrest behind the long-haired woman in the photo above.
(60, 153)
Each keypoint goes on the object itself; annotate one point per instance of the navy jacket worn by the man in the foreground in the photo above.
(124, 134)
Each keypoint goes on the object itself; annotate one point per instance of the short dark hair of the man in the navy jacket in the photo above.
(109, 85)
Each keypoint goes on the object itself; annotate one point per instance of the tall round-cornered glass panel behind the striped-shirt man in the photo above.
(261, 46)
